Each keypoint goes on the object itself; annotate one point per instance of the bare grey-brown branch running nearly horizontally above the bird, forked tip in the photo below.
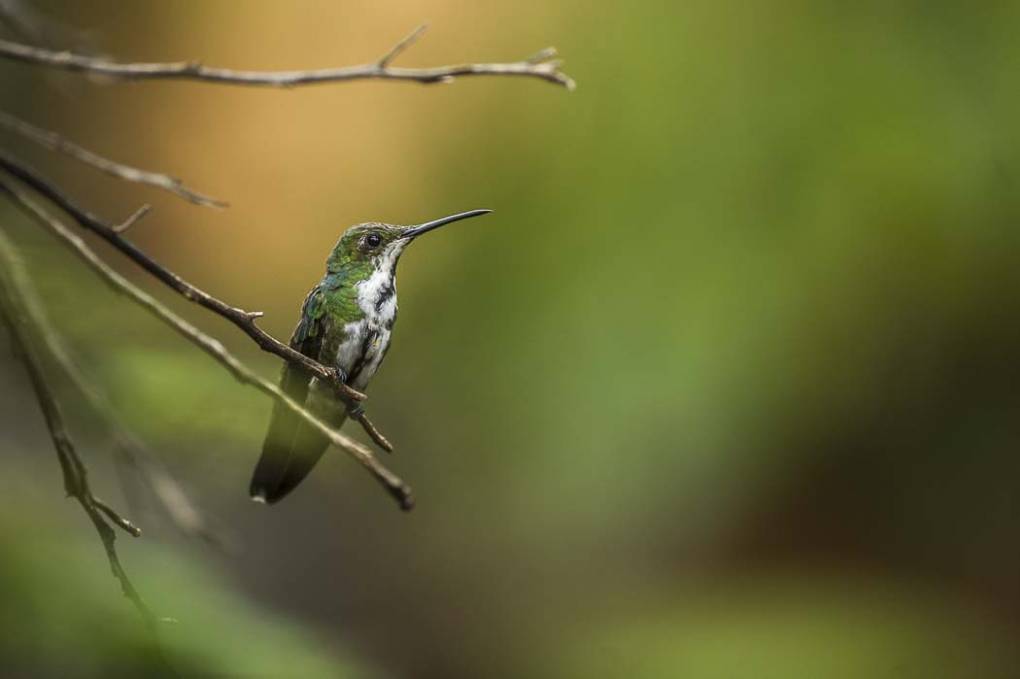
(193, 71)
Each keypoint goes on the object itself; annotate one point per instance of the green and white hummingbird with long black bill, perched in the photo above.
(346, 324)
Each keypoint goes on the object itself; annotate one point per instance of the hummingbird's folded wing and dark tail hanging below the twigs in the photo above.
(292, 446)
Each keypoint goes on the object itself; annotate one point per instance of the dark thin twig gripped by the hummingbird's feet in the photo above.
(240, 318)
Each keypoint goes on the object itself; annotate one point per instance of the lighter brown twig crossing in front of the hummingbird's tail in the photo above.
(400, 491)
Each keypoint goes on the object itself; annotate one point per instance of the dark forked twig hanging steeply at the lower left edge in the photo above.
(75, 473)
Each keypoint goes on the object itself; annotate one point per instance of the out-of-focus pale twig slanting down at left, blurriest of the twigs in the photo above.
(129, 449)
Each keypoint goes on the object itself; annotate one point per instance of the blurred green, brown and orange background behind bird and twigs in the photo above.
(727, 388)
